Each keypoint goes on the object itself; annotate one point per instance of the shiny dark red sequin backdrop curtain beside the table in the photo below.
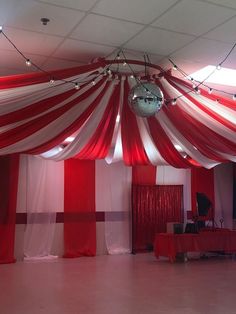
(154, 206)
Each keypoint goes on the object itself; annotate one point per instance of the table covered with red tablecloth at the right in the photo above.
(169, 244)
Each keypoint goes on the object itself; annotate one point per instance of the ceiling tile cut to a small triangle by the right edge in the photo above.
(225, 32)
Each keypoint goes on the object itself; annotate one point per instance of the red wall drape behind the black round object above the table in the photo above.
(202, 180)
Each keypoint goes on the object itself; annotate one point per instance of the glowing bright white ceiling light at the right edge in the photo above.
(224, 76)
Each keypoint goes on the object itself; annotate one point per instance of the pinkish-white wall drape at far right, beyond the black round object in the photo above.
(223, 184)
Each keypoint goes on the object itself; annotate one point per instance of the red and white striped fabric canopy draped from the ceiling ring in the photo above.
(36, 117)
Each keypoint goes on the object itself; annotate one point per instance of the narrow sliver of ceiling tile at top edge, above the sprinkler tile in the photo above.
(83, 5)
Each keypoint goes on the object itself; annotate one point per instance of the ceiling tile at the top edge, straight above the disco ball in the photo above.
(133, 10)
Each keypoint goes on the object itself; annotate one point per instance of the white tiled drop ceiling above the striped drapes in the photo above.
(63, 39)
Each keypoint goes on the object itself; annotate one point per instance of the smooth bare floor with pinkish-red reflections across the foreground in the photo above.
(119, 284)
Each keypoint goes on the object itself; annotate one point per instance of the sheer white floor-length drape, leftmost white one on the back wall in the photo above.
(42, 192)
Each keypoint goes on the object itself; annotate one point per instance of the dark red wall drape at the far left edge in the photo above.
(9, 169)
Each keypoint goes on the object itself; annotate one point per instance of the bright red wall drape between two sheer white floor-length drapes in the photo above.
(79, 197)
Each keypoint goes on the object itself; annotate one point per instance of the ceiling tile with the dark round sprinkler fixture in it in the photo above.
(27, 16)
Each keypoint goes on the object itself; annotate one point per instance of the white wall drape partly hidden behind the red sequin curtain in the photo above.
(170, 175)
